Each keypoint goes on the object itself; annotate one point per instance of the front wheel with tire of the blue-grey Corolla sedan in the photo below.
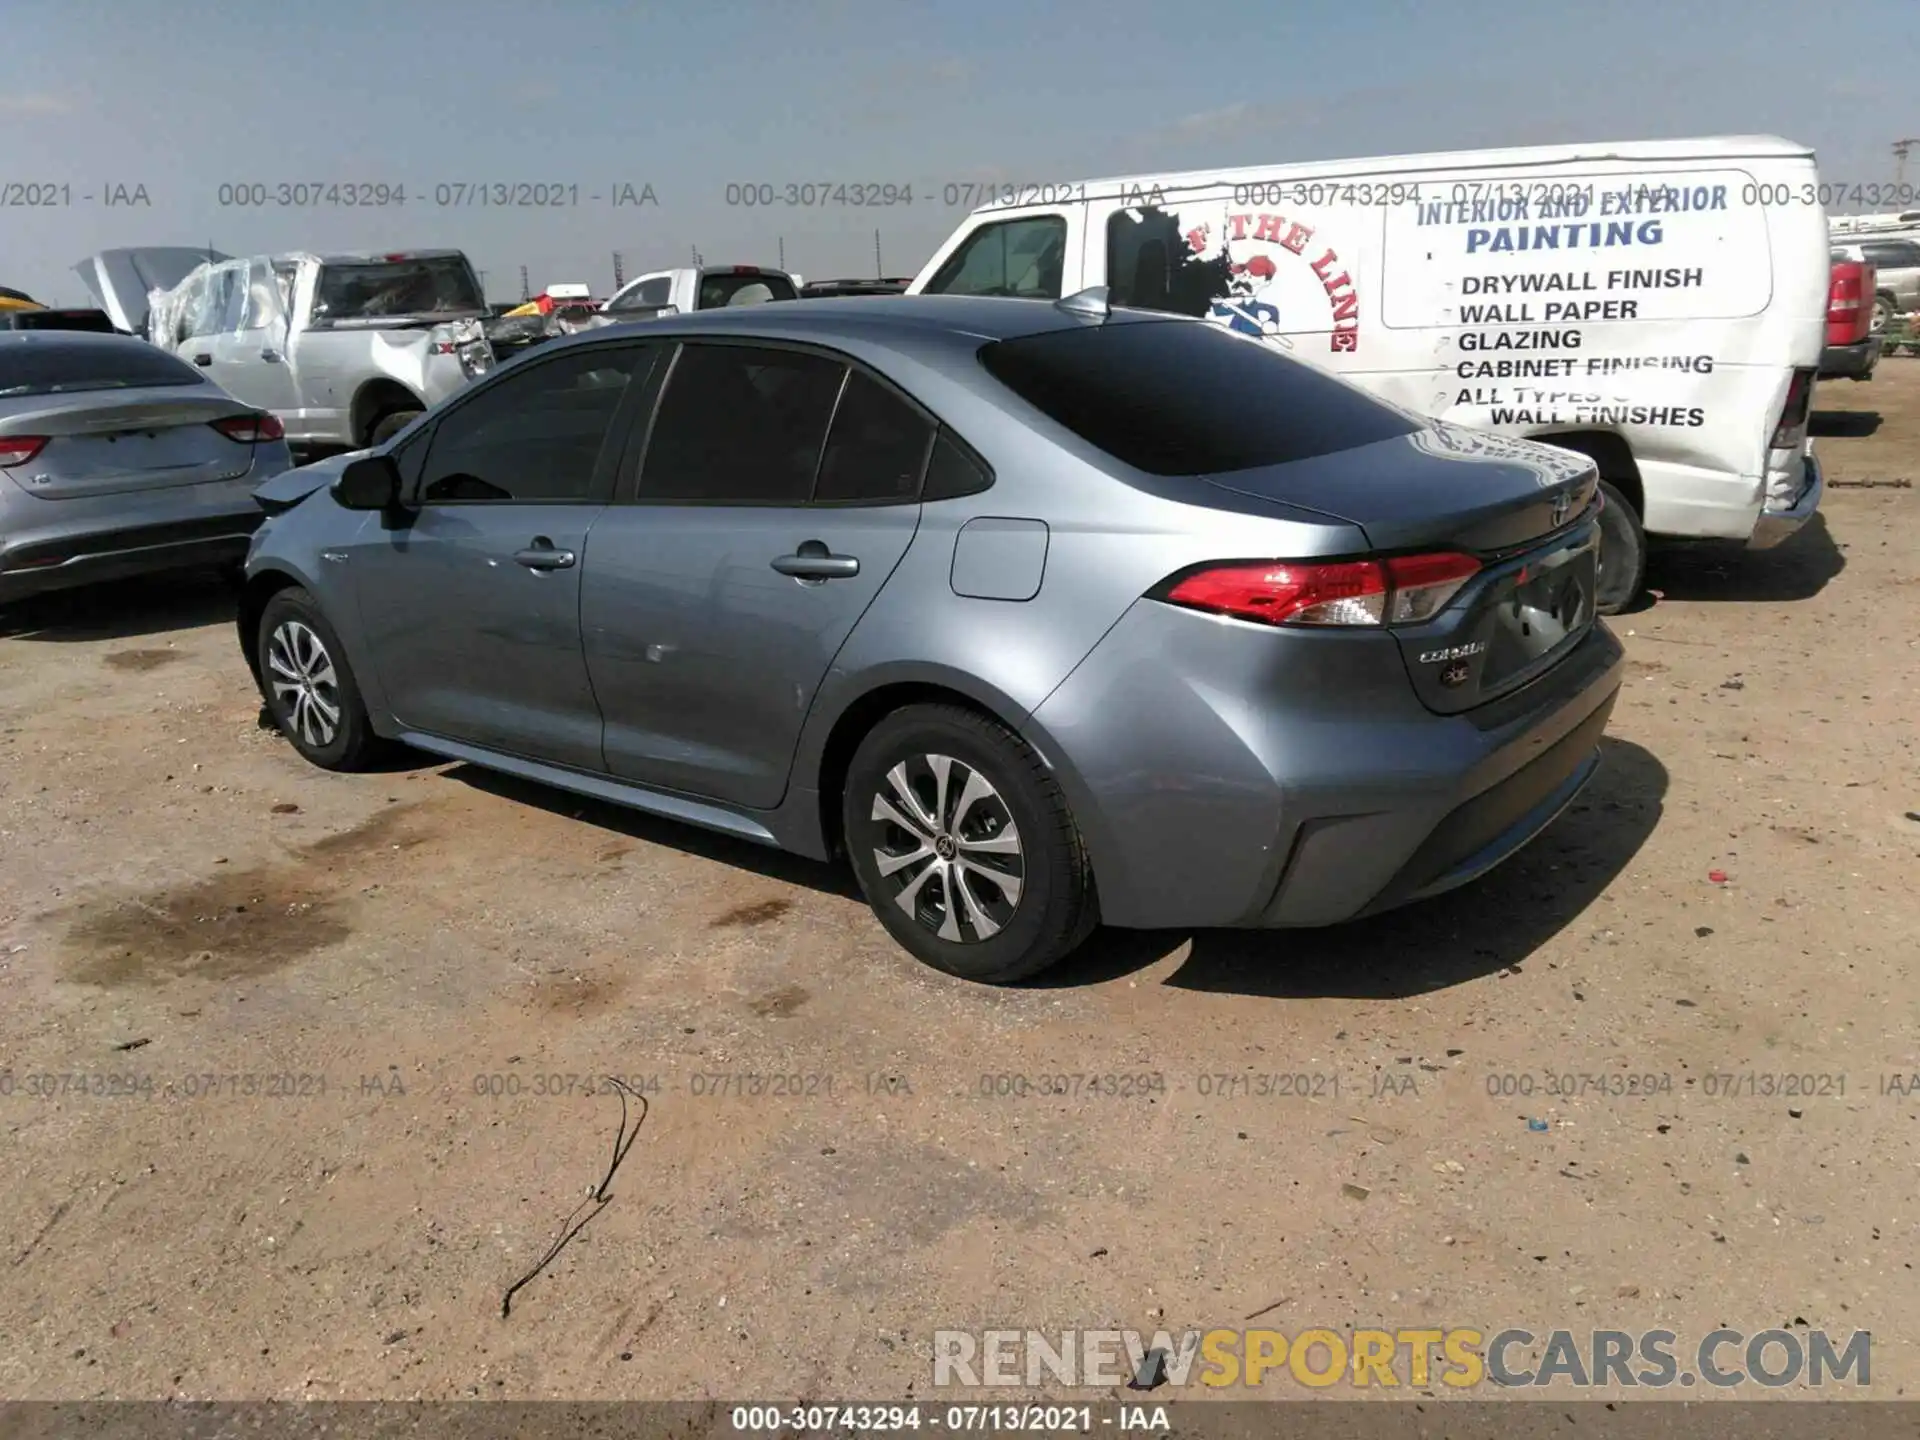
(295, 638)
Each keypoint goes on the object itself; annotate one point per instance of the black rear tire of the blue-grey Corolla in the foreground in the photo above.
(1053, 909)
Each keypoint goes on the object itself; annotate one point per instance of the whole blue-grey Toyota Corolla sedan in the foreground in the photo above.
(1042, 615)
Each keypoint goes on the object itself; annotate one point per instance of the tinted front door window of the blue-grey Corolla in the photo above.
(535, 435)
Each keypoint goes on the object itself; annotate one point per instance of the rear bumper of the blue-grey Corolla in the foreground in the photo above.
(1247, 780)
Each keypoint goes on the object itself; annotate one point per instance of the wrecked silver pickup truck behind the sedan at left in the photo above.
(347, 350)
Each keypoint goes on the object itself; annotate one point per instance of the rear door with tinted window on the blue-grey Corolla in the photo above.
(779, 492)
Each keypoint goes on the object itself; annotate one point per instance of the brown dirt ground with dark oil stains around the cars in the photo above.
(295, 1067)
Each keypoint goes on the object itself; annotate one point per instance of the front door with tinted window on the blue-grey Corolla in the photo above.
(473, 606)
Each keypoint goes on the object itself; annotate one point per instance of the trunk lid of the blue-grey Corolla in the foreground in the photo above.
(1525, 512)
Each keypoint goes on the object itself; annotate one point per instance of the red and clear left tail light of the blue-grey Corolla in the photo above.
(1399, 590)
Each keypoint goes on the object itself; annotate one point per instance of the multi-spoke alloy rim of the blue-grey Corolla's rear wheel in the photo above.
(949, 848)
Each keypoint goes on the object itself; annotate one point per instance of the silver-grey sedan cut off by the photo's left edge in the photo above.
(120, 460)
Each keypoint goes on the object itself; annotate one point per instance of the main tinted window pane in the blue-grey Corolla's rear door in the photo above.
(740, 425)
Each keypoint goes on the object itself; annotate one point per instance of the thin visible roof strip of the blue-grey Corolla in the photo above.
(876, 318)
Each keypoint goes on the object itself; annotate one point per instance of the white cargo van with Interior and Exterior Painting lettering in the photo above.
(1658, 306)
